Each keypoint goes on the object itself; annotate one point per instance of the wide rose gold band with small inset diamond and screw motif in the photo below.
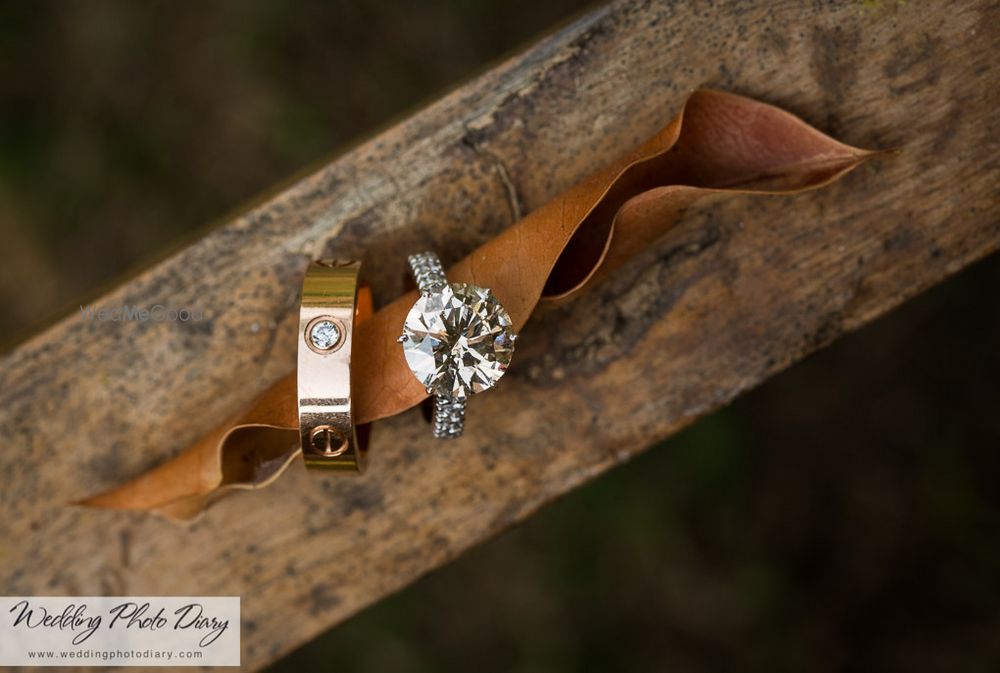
(333, 304)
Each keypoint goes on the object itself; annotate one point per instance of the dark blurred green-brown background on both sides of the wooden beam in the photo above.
(843, 517)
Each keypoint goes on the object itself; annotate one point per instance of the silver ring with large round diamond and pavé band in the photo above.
(457, 340)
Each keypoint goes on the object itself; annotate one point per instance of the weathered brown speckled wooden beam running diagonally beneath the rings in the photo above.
(737, 292)
